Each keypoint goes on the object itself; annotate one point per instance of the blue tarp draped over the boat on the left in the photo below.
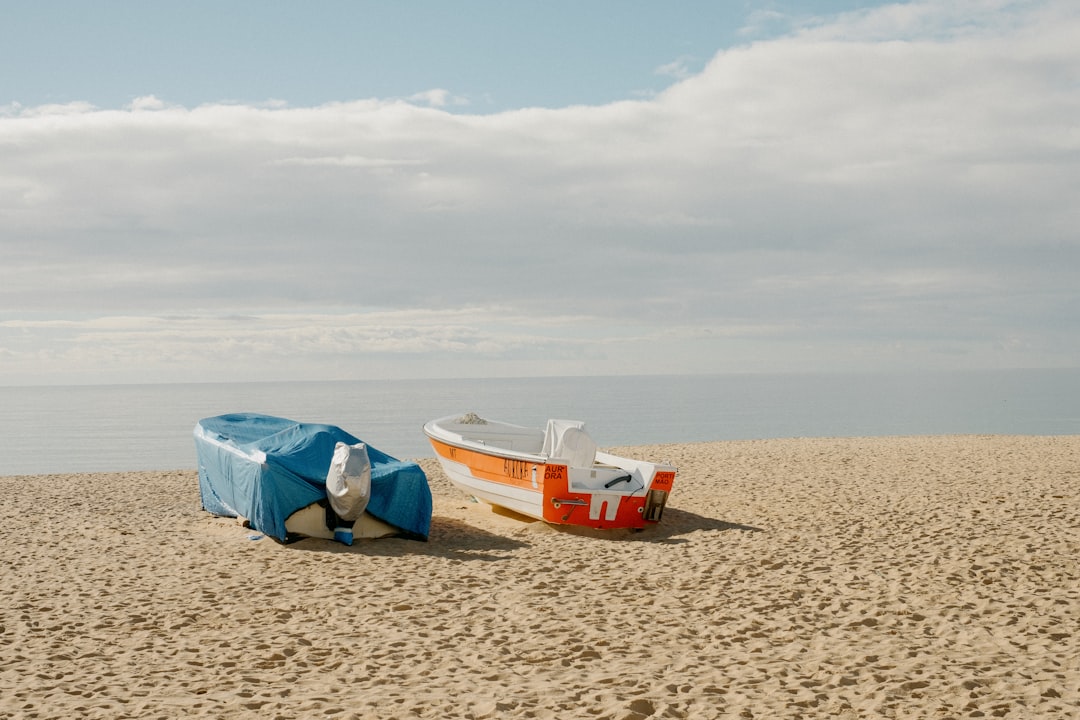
(265, 469)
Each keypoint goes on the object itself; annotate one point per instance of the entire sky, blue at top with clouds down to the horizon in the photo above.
(234, 192)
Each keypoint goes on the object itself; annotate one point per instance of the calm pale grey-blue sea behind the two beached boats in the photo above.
(129, 428)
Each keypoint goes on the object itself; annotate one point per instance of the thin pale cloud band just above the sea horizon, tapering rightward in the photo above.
(394, 344)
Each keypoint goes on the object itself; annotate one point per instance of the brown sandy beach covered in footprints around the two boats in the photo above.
(897, 578)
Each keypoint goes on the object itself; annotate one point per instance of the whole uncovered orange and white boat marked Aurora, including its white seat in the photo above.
(557, 474)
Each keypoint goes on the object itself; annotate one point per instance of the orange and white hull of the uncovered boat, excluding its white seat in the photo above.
(612, 493)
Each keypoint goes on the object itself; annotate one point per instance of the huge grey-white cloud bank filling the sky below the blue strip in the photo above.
(907, 174)
